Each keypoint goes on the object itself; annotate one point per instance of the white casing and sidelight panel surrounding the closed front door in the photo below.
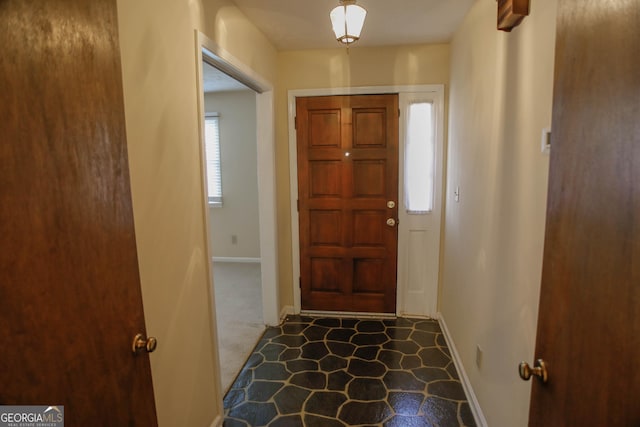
(419, 235)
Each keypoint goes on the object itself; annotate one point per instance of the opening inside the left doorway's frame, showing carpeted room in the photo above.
(234, 235)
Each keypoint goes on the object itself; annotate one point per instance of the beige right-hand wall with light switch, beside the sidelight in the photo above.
(500, 100)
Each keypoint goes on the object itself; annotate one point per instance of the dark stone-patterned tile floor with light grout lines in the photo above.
(329, 372)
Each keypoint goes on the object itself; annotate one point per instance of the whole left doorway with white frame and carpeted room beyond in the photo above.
(237, 148)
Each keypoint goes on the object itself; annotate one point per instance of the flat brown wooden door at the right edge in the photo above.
(589, 318)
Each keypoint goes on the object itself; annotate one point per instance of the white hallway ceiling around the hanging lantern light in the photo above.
(305, 24)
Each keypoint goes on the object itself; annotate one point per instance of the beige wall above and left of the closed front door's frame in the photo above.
(329, 68)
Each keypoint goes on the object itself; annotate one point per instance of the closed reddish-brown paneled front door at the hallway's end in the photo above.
(348, 191)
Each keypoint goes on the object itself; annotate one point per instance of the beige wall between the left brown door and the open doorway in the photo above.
(158, 64)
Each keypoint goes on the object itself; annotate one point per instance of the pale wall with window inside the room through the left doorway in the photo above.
(238, 215)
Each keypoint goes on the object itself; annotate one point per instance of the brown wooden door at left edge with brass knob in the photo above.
(70, 299)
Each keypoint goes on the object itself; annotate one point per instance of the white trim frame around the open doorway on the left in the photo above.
(209, 51)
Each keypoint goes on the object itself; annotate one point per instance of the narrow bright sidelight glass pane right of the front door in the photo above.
(419, 158)
